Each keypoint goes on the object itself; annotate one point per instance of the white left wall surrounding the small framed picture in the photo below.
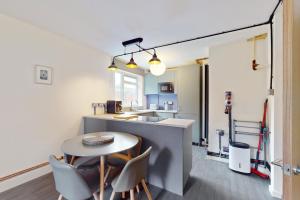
(35, 119)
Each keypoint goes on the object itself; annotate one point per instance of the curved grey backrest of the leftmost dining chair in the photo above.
(68, 181)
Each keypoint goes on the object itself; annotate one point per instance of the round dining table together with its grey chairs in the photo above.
(95, 161)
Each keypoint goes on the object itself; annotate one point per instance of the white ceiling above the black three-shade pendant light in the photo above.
(105, 24)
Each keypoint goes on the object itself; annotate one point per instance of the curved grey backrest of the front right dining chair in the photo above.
(134, 171)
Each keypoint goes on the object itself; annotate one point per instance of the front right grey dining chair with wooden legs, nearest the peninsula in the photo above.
(134, 172)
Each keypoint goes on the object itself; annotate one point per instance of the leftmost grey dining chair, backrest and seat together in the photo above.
(74, 184)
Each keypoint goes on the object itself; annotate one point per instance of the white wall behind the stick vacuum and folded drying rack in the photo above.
(230, 70)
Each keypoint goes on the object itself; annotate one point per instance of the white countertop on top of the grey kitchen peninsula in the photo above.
(181, 123)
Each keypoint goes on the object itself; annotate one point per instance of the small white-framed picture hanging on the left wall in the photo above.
(43, 74)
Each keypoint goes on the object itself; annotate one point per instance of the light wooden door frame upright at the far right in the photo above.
(289, 66)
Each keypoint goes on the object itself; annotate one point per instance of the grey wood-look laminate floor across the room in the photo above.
(209, 180)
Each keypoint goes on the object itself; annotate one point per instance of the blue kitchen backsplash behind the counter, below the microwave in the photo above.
(160, 99)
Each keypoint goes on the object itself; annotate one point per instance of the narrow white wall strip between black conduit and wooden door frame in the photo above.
(276, 106)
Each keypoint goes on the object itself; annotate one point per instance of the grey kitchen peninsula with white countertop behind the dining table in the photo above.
(171, 157)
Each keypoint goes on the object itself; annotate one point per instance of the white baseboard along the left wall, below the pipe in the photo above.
(11, 183)
